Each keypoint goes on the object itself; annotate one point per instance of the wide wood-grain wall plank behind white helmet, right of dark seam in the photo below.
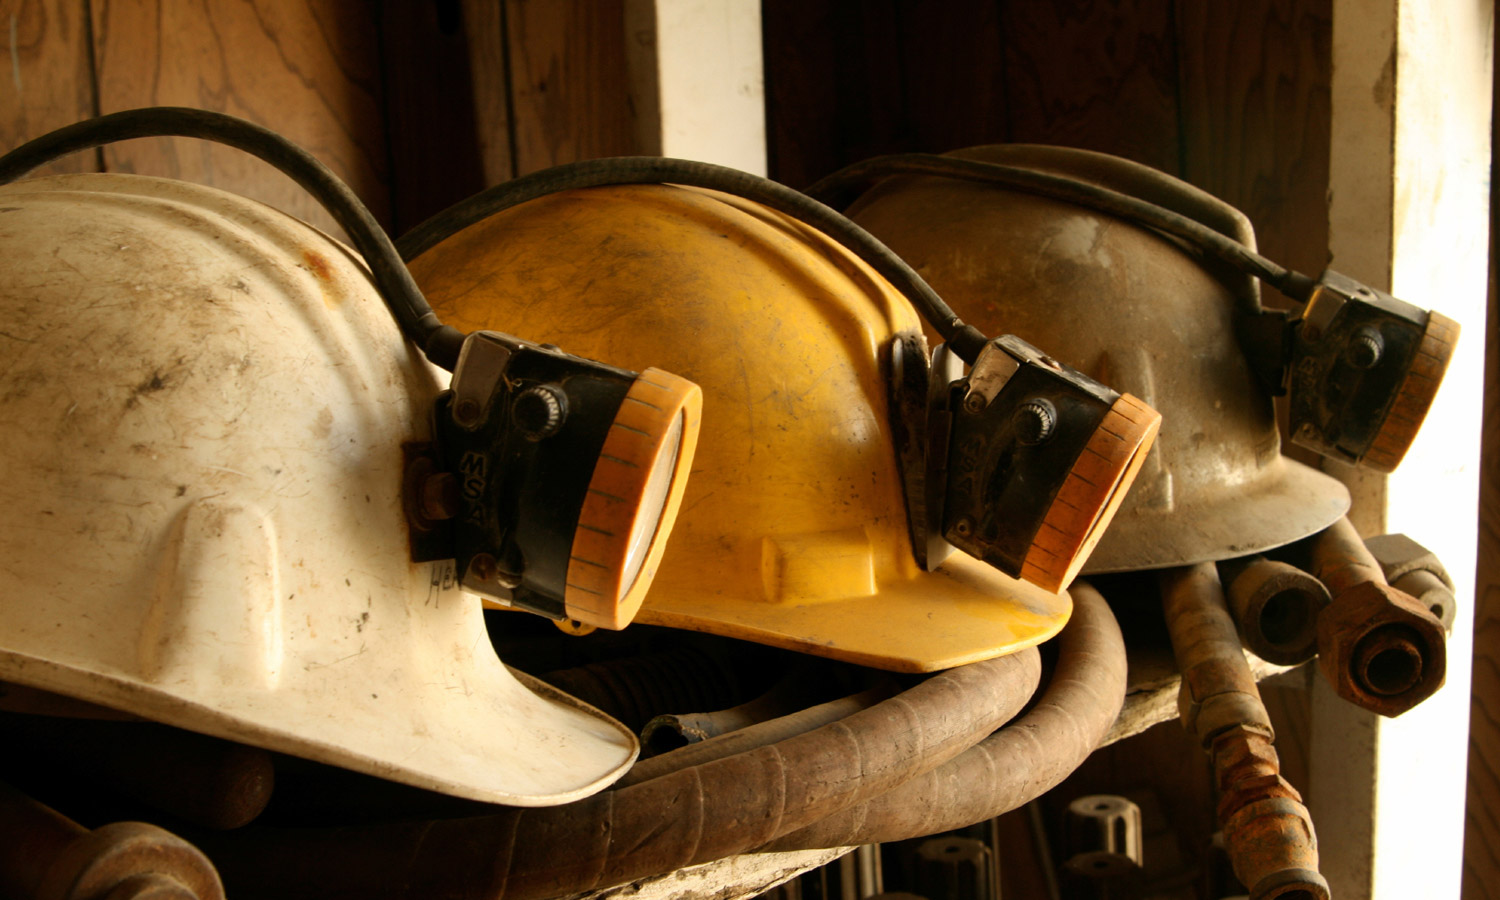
(308, 70)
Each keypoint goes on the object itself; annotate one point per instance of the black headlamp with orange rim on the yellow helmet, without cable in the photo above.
(1024, 461)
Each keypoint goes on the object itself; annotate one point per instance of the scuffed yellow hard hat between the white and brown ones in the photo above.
(793, 530)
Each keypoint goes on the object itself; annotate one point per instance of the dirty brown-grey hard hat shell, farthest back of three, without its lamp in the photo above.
(1135, 310)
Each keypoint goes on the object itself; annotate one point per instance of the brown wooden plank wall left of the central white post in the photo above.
(415, 103)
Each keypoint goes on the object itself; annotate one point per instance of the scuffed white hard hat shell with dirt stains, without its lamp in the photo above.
(205, 406)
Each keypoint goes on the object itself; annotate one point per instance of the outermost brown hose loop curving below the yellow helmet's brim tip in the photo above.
(1013, 767)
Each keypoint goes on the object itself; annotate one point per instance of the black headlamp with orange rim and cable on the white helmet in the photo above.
(551, 479)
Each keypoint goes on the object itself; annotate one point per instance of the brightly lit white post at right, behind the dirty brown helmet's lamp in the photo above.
(1409, 212)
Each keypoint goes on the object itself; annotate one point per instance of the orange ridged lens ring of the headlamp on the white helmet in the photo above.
(632, 500)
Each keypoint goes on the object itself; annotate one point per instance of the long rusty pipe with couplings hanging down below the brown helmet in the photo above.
(1268, 832)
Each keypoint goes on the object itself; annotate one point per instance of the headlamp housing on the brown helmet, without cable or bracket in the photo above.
(1363, 370)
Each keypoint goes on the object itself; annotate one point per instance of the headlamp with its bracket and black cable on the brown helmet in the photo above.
(1361, 367)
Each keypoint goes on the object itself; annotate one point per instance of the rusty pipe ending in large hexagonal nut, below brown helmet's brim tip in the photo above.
(1379, 647)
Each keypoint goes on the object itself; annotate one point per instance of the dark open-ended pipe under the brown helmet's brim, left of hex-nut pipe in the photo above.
(1276, 608)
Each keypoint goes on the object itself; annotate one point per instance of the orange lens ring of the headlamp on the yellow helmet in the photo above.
(1091, 494)
